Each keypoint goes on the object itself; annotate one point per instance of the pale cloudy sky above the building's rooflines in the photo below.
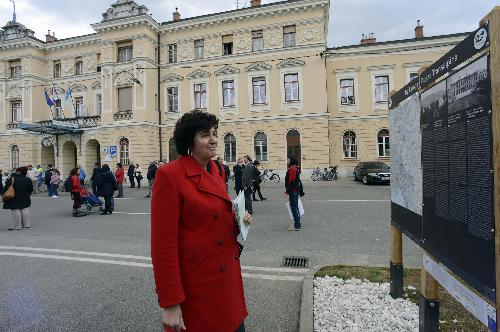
(349, 19)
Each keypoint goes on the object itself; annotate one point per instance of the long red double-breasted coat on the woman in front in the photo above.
(194, 249)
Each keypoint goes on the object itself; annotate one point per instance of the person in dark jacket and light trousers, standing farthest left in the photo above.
(21, 202)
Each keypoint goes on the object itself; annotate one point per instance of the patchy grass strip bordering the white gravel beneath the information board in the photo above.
(453, 316)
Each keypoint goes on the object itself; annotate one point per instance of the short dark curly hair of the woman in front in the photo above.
(189, 125)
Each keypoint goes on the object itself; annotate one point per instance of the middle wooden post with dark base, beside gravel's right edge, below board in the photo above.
(429, 303)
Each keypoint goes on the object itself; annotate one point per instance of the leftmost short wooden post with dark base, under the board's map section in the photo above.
(396, 267)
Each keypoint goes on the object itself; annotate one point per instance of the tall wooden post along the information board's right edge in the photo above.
(494, 26)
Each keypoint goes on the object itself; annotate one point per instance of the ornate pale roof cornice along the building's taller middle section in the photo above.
(249, 14)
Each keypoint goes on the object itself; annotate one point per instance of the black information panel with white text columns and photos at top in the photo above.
(457, 166)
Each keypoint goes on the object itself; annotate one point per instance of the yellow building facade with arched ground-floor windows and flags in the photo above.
(264, 71)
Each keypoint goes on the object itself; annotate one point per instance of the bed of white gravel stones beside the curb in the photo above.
(357, 306)
